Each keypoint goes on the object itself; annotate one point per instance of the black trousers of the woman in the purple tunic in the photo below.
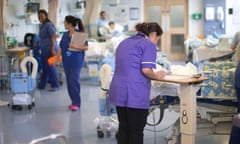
(131, 125)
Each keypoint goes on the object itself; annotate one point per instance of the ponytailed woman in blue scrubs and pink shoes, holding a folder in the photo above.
(72, 59)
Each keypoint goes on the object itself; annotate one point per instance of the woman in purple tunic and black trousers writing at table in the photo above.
(130, 86)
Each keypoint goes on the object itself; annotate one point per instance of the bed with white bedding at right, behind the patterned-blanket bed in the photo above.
(212, 49)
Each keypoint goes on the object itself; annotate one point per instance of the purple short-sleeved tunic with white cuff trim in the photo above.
(129, 87)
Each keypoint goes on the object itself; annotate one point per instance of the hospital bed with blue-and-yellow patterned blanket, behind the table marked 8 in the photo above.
(216, 100)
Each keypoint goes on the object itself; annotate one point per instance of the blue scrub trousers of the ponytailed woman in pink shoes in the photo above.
(73, 85)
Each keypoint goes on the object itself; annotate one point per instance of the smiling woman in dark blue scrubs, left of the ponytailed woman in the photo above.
(48, 46)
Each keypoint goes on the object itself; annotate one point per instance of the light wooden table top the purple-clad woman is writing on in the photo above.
(182, 79)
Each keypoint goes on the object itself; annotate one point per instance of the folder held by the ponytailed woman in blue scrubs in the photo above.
(78, 38)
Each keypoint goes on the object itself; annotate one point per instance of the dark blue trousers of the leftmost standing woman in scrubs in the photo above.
(49, 73)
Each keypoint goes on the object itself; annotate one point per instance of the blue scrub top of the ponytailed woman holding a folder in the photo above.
(71, 59)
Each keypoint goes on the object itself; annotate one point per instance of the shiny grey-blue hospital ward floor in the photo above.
(51, 115)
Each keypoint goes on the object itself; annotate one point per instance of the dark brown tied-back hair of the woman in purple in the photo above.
(147, 28)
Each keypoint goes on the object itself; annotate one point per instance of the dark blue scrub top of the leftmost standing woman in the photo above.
(46, 30)
